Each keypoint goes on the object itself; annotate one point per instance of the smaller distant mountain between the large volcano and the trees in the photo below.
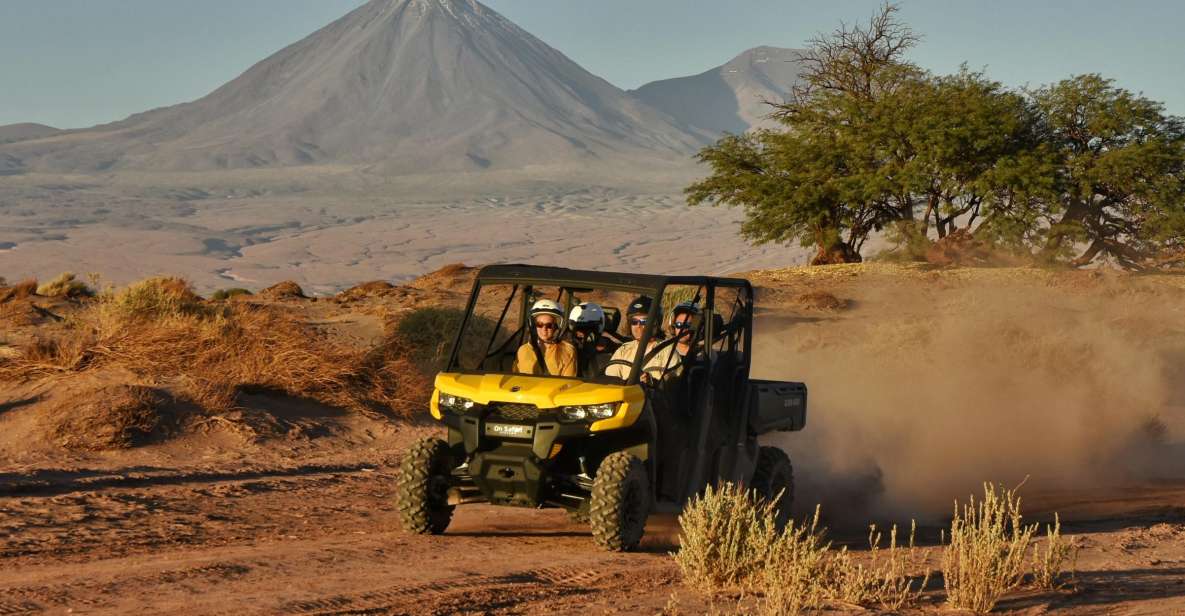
(731, 98)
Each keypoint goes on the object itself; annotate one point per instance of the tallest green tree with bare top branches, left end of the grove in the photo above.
(821, 181)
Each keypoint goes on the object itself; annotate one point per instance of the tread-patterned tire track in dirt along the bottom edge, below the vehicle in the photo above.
(438, 598)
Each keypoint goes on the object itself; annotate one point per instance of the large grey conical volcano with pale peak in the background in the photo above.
(406, 86)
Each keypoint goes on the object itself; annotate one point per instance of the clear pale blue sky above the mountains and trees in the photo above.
(75, 63)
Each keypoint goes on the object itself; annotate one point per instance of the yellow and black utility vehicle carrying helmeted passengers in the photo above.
(611, 451)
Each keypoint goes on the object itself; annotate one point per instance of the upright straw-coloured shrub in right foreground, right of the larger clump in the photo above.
(987, 556)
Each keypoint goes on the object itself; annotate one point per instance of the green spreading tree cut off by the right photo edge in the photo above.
(1120, 175)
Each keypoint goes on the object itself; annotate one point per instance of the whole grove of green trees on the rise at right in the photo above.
(869, 143)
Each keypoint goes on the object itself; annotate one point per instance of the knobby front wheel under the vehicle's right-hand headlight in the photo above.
(620, 503)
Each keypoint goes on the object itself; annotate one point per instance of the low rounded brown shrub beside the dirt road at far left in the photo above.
(108, 418)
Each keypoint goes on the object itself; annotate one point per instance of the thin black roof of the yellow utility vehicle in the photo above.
(572, 278)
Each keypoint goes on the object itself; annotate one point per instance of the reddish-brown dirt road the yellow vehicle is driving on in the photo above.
(324, 540)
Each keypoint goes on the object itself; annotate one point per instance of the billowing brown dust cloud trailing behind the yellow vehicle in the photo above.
(930, 387)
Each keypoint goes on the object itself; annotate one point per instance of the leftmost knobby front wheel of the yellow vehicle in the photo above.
(422, 487)
